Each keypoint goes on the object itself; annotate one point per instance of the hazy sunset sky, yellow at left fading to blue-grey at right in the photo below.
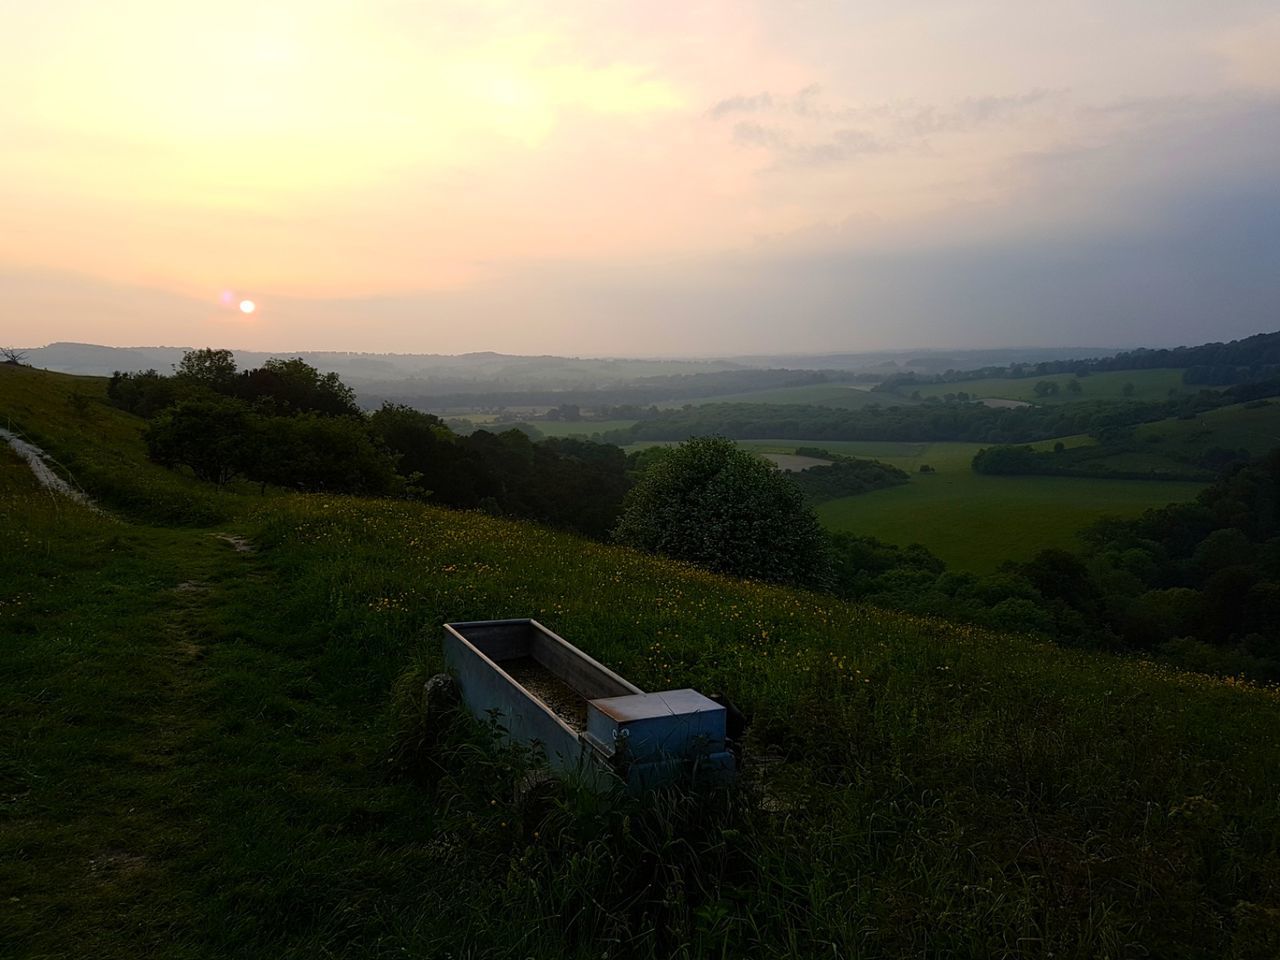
(588, 177)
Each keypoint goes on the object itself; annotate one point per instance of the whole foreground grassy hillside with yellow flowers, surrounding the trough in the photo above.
(195, 743)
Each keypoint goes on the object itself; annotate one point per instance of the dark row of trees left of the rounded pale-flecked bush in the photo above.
(289, 426)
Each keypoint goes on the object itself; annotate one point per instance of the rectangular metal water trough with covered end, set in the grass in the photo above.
(584, 716)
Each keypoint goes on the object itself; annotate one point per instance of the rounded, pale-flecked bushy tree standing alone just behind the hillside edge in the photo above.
(712, 504)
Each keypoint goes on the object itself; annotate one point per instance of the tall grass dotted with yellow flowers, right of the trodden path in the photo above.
(929, 789)
